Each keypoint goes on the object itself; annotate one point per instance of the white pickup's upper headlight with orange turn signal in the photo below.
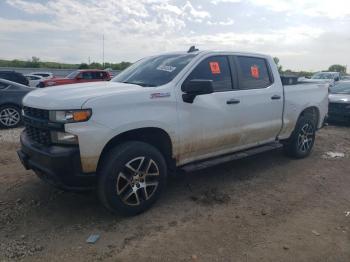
(70, 116)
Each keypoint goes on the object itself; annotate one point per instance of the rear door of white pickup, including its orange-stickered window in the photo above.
(261, 100)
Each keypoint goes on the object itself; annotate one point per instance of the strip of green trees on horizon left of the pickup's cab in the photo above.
(35, 62)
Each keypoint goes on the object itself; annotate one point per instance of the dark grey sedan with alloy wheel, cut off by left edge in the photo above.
(11, 95)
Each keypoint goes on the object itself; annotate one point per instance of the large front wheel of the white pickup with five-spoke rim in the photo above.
(131, 178)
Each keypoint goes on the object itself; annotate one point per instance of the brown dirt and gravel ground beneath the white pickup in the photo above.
(264, 208)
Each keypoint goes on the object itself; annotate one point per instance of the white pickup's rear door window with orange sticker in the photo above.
(253, 72)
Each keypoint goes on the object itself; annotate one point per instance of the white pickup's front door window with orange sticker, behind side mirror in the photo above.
(215, 68)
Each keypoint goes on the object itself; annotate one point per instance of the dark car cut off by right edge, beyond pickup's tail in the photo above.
(339, 102)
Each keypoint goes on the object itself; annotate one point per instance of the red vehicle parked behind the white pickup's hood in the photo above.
(79, 76)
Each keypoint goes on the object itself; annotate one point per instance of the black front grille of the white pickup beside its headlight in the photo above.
(35, 122)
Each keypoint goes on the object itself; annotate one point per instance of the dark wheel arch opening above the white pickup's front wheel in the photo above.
(154, 136)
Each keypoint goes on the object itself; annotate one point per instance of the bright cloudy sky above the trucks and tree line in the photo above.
(304, 34)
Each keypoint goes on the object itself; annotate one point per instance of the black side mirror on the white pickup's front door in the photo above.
(195, 88)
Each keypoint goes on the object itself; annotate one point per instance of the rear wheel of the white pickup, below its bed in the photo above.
(301, 142)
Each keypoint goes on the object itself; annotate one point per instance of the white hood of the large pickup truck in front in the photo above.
(73, 96)
